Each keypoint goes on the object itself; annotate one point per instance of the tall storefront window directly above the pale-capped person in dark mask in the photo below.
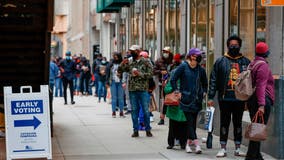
(172, 24)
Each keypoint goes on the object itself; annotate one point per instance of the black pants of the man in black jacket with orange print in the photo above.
(235, 110)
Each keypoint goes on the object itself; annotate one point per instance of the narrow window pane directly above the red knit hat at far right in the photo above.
(260, 22)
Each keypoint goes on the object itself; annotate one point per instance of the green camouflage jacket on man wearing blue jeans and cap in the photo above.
(140, 82)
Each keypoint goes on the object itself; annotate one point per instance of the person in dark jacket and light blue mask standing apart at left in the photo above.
(68, 69)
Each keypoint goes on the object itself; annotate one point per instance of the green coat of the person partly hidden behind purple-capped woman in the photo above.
(173, 112)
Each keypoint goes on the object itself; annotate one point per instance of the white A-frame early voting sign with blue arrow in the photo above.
(27, 121)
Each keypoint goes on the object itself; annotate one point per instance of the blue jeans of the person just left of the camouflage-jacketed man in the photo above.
(117, 94)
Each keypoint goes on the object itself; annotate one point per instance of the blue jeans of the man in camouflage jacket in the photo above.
(137, 99)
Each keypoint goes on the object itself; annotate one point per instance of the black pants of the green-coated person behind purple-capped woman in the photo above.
(177, 130)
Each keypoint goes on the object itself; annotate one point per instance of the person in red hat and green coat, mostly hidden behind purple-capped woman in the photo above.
(177, 119)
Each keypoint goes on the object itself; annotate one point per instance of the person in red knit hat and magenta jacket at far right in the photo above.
(263, 98)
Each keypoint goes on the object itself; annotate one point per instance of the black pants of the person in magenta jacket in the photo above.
(253, 152)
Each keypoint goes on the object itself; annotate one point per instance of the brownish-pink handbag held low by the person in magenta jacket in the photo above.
(256, 131)
